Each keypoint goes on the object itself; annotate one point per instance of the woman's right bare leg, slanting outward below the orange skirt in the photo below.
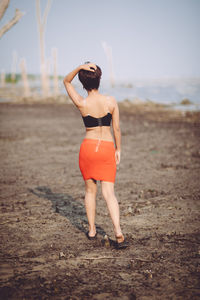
(113, 206)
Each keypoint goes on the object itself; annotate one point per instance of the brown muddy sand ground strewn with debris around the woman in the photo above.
(44, 251)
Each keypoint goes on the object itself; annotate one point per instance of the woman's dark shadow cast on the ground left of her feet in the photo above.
(65, 205)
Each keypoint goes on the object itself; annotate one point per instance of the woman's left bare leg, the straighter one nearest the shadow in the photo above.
(90, 204)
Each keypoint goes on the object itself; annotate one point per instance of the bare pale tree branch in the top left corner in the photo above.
(18, 14)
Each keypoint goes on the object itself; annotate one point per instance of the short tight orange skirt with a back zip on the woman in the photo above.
(97, 160)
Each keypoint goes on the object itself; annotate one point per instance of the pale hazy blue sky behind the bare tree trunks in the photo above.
(149, 38)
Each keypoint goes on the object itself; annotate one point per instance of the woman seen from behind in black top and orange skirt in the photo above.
(98, 156)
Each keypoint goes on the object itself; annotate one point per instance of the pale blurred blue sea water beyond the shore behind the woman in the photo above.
(165, 91)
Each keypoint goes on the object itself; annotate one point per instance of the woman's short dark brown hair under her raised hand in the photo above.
(90, 80)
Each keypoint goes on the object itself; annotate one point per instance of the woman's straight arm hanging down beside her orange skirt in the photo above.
(116, 131)
